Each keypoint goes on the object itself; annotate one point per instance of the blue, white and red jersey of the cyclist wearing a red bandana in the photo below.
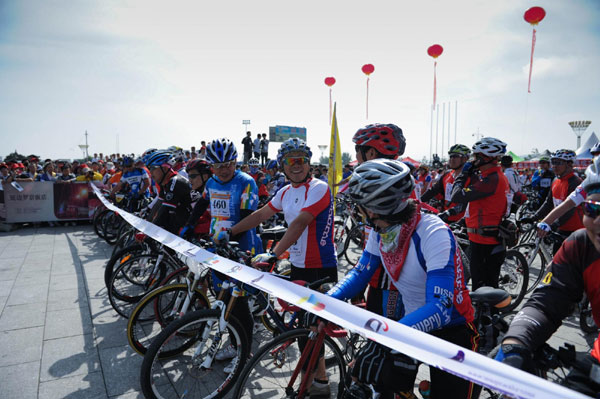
(431, 292)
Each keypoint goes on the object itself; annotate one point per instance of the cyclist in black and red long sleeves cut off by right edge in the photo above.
(573, 271)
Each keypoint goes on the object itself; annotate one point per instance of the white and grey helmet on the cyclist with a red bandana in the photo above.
(381, 186)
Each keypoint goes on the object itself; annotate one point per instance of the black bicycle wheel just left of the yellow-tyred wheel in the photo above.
(132, 280)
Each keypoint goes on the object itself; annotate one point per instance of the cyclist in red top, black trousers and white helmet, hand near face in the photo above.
(486, 195)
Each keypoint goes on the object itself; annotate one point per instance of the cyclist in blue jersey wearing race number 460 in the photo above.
(232, 196)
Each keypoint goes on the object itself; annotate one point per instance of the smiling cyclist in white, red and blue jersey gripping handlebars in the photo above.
(307, 206)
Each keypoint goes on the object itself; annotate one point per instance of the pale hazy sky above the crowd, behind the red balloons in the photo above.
(152, 74)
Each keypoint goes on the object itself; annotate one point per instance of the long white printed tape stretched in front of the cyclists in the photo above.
(424, 347)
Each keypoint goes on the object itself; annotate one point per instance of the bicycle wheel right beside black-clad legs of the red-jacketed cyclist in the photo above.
(514, 276)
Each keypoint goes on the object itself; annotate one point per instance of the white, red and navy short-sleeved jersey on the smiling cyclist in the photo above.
(314, 248)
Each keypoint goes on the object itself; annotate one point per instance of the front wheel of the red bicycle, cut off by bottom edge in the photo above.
(268, 372)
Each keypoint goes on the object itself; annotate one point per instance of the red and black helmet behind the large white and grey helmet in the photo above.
(386, 139)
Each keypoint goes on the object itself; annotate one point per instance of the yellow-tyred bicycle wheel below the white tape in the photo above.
(156, 310)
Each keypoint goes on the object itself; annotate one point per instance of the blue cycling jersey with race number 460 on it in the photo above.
(227, 200)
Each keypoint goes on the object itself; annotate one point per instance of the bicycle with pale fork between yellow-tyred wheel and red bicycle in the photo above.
(182, 357)
